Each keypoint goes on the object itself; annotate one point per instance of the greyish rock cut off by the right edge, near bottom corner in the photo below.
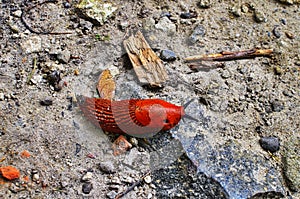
(291, 163)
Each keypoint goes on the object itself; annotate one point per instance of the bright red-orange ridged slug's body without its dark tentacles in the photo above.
(135, 117)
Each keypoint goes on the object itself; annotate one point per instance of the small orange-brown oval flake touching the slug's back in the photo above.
(106, 85)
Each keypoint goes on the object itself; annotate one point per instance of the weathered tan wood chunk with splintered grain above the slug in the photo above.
(147, 65)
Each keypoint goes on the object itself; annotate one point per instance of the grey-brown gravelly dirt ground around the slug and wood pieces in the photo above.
(50, 53)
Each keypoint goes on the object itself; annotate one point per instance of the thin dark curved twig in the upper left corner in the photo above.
(35, 31)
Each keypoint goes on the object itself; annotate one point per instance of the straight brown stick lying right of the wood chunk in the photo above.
(228, 56)
